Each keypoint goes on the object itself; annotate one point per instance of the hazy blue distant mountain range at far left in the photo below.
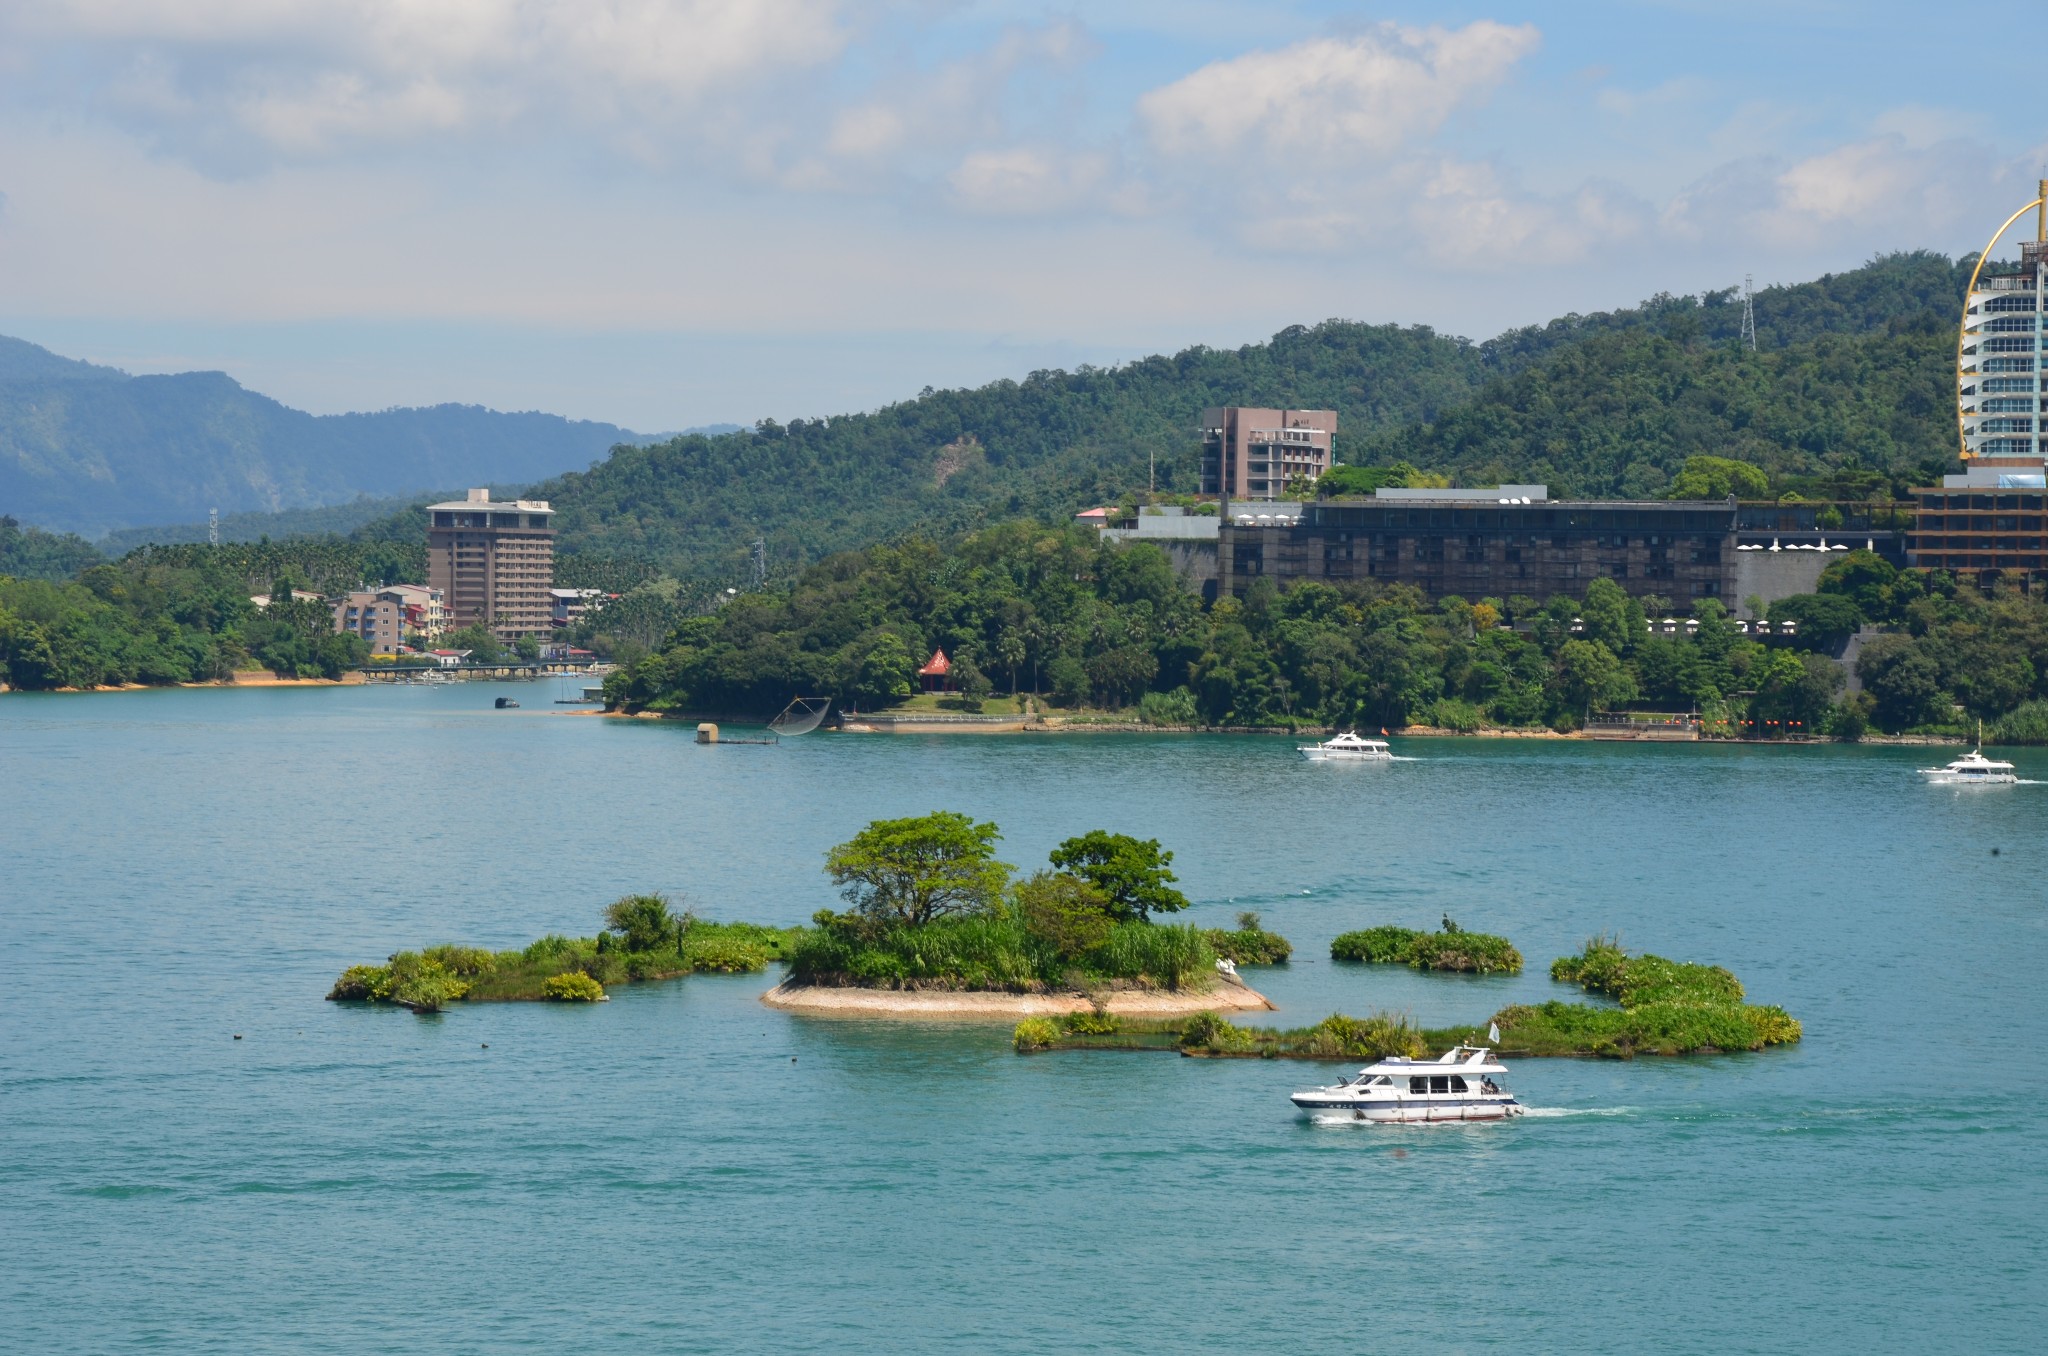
(91, 450)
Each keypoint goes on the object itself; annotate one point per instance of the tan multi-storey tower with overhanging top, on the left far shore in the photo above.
(495, 562)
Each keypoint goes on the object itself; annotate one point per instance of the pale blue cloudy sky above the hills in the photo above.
(681, 212)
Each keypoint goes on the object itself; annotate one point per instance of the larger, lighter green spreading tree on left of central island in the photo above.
(910, 872)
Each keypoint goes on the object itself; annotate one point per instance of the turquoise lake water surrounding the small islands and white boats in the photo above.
(687, 1171)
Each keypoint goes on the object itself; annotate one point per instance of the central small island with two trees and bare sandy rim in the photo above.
(941, 929)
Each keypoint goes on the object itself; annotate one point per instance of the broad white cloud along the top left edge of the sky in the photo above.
(304, 79)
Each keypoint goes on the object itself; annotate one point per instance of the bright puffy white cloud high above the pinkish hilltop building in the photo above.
(1377, 93)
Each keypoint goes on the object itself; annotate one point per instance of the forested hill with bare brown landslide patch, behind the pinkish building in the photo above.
(959, 460)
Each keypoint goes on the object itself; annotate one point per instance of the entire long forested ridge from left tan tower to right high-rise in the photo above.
(1852, 372)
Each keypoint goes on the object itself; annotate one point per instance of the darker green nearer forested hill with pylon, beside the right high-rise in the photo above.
(1852, 376)
